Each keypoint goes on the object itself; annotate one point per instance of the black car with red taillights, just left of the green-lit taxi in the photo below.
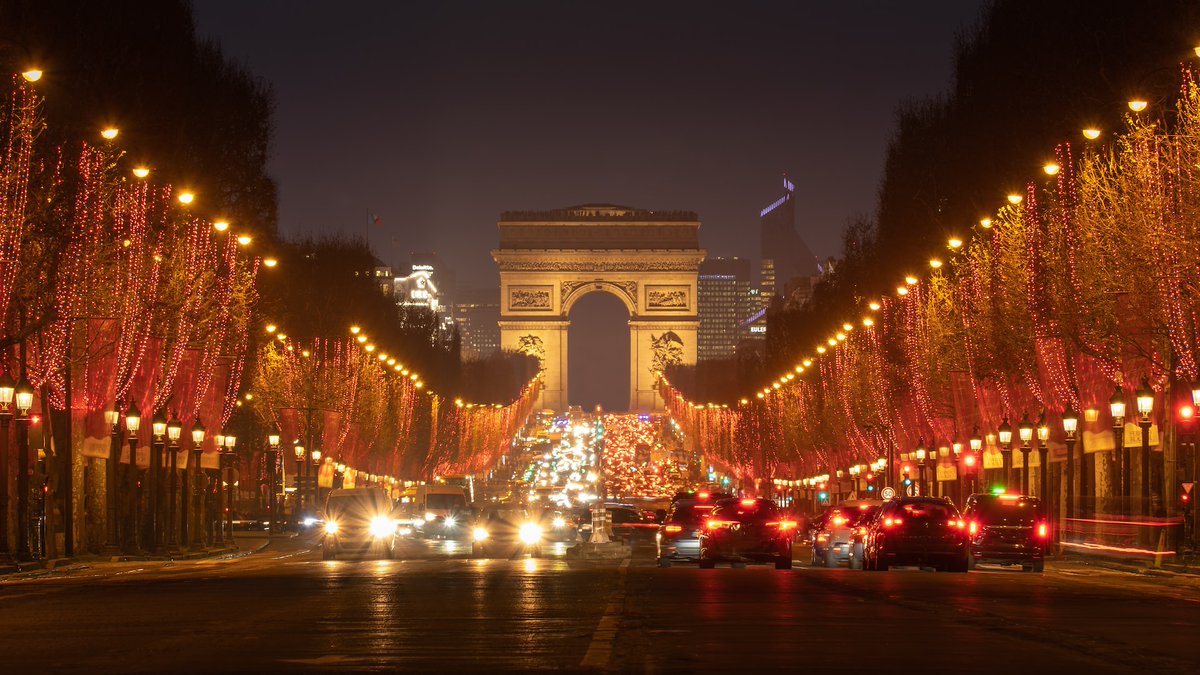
(916, 531)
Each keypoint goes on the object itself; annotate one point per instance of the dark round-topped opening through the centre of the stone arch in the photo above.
(599, 353)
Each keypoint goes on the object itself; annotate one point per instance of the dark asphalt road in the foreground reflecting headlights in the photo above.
(285, 610)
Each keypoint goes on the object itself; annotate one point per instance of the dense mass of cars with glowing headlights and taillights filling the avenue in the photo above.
(548, 491)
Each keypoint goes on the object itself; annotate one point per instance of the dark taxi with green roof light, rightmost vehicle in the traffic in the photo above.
(1007, 529)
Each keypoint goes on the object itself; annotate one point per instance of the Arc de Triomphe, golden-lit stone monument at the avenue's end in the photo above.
(649, 260)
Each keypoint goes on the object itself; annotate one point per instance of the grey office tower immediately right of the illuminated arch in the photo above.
(724, 303)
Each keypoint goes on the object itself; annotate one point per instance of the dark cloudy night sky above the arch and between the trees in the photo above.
(439, 116)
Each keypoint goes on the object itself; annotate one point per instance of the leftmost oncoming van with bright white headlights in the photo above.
(359, 522)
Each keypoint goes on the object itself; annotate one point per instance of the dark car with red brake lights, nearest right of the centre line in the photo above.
(748, 530)
